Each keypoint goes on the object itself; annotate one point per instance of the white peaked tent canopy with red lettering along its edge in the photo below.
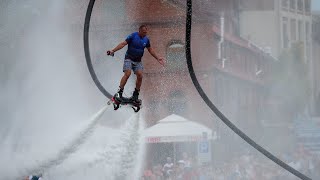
(175, 128)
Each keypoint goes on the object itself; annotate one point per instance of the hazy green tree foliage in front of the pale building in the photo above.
(290, 80)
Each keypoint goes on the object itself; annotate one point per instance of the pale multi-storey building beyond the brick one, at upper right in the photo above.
(284, 23)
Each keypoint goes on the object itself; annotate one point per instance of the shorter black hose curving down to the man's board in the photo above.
(87, 50)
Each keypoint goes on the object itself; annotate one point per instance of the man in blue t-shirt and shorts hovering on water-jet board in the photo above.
(136, 42)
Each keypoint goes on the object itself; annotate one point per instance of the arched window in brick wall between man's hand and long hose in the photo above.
(176, 59)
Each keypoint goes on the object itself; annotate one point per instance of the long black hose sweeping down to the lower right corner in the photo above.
(216, 110)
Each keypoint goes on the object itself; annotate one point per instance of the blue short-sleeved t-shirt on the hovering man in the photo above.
(136, 45)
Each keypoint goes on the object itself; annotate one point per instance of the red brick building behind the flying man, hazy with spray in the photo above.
(231, 70)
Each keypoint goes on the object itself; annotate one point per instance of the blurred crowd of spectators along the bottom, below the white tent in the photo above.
(245, 167)
